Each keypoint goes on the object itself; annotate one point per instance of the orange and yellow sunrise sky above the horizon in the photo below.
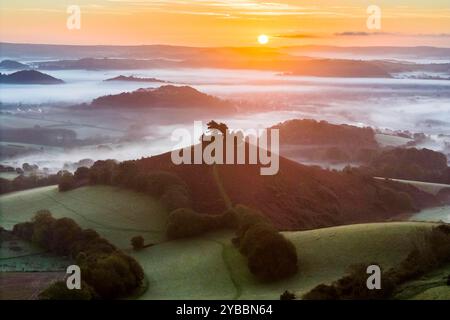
(227, 22)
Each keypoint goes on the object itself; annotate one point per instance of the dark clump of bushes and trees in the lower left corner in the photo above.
(106, 269)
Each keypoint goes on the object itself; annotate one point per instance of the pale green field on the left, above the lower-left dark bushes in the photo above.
(116, 214)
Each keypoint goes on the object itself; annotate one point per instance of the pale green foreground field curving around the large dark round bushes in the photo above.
(211, 268)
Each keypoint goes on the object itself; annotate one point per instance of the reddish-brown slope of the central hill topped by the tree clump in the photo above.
(298, 197)
